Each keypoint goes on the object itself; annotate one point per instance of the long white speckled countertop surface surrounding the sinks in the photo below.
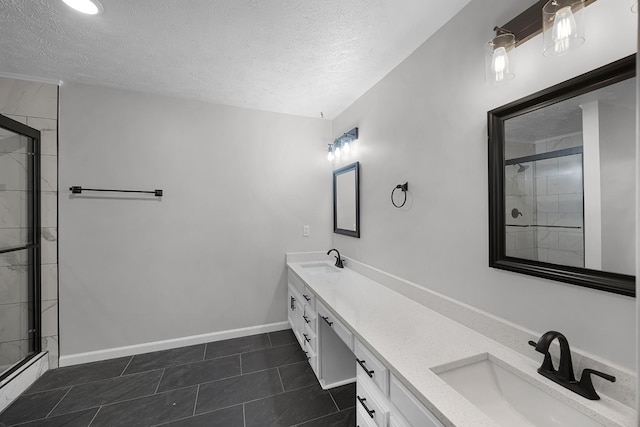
(411, 340)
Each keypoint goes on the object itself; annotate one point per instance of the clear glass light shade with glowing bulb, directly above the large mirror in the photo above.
(562, 26)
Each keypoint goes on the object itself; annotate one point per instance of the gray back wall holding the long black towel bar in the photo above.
(239, 187)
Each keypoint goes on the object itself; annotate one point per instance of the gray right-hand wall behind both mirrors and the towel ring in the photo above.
(425, 123)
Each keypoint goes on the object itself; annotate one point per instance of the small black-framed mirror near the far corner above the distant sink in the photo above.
(346, 200)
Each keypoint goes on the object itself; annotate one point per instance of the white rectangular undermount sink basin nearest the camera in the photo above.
(489, 384)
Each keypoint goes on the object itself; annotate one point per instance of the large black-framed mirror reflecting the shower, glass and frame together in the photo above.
(562, 177)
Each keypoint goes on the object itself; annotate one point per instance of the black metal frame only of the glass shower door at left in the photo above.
(33, 246)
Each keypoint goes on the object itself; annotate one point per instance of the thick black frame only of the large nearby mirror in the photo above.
(604, 76)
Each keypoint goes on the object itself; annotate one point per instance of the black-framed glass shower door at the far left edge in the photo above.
(19, 244)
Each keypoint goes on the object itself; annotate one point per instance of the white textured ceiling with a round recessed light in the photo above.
(291, 56)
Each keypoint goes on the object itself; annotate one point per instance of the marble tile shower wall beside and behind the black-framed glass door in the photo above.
(36, 105)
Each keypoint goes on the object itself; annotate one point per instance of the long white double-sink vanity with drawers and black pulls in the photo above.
(408, 360)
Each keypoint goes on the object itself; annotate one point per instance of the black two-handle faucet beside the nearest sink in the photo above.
(564, 375)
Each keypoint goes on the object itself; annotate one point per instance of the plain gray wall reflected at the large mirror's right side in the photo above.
(618, 170)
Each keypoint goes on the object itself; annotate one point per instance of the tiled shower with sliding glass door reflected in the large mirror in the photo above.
(544, 203)
